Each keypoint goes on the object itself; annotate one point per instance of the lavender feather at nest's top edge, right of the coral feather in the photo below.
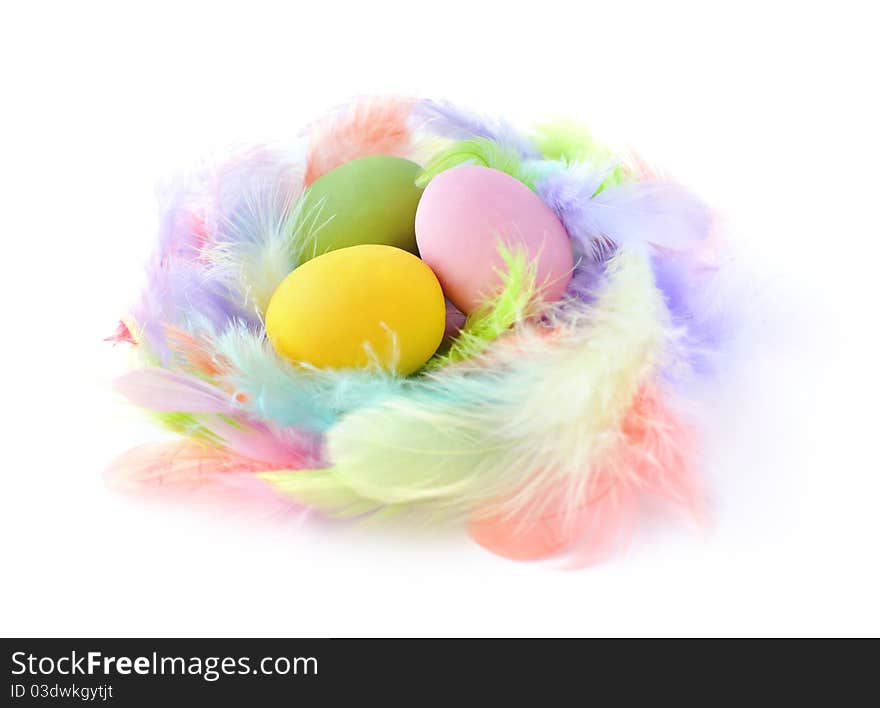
(443, 118)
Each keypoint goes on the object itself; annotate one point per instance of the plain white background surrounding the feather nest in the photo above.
(768, 109)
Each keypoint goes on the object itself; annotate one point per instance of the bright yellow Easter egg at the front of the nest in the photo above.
(355, 307)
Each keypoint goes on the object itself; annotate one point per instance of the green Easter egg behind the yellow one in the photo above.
(369, 200)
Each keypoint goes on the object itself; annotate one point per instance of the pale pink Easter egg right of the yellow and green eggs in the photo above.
(463, 214)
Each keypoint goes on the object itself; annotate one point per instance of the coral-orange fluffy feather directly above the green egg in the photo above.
(367, 126)
